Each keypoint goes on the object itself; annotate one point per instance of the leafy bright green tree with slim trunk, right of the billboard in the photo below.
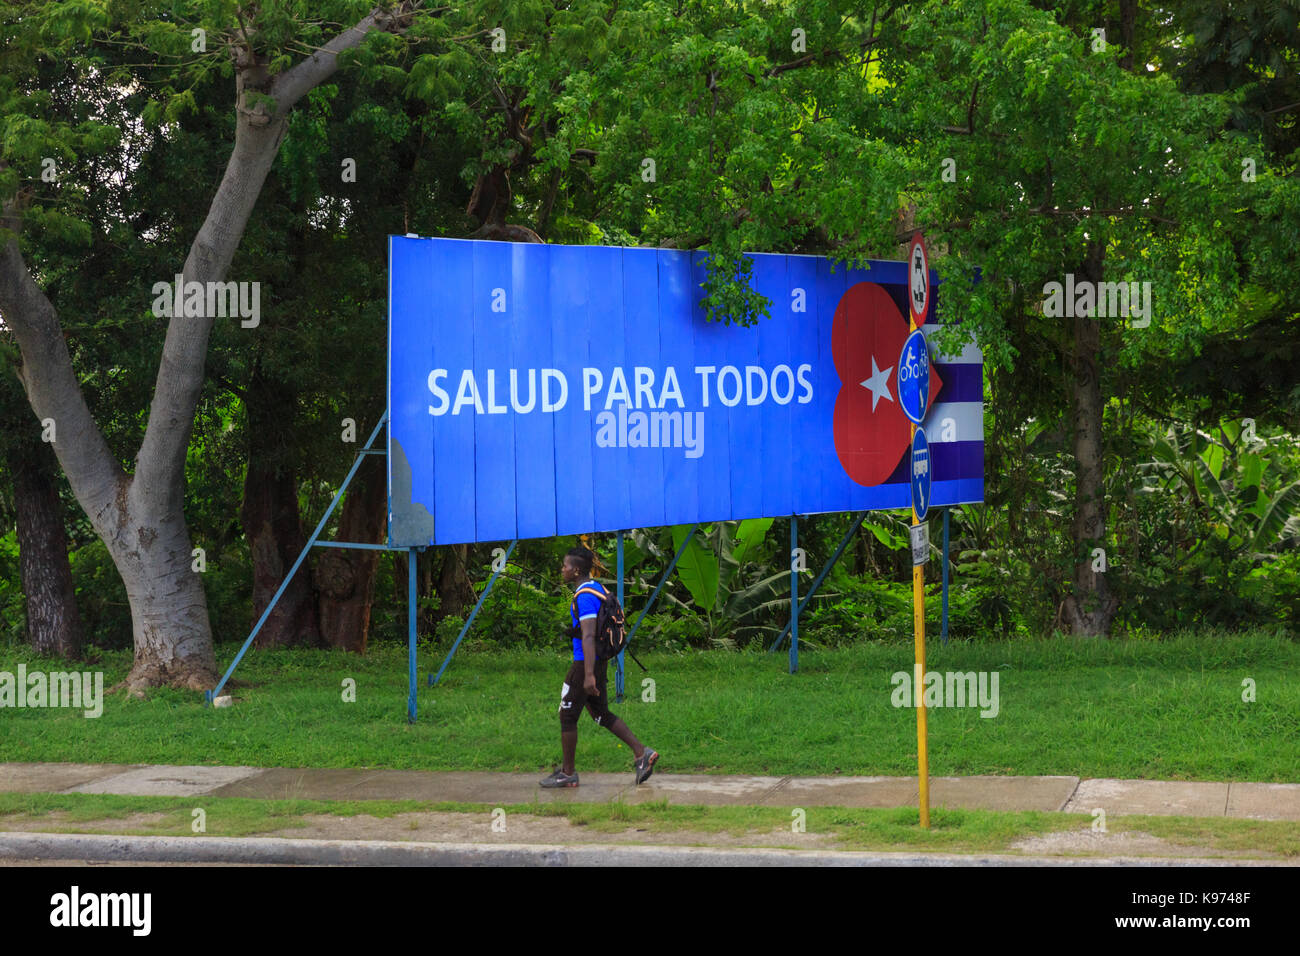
(1116, 176)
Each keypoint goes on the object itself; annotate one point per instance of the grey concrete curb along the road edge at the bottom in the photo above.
(304, 853)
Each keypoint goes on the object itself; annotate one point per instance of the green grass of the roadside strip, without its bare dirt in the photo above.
(970, 832)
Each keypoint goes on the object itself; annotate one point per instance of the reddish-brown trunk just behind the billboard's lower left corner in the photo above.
(346, 577)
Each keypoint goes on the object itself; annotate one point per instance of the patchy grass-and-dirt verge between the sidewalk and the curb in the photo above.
(827, 828)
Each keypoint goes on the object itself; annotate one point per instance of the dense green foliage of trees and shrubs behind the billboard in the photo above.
(1025, 150)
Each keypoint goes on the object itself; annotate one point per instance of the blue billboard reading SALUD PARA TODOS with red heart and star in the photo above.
(539, 391)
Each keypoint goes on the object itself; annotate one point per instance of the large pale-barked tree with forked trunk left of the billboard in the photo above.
(141, 514)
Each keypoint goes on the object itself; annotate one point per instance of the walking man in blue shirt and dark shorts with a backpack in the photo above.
(586, 682)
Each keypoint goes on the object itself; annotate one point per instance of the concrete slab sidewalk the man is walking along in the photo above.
(1052, 794)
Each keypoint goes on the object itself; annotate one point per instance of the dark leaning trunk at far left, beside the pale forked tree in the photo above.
(54, 624)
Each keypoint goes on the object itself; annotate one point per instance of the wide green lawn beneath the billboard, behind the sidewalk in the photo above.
(1139, 710)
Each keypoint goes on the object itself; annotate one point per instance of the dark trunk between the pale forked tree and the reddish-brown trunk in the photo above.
(274, 526)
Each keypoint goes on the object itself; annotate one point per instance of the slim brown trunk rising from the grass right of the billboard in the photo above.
(1091, 608)
